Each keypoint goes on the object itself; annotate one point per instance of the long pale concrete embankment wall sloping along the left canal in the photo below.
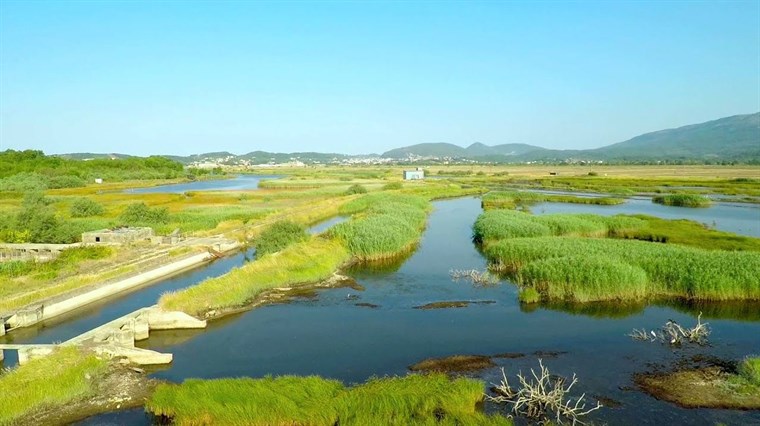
(63, 304)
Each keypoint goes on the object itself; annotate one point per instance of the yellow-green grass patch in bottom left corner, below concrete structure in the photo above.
(51, 381)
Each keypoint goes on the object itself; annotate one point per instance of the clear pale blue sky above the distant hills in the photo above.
(145, 77)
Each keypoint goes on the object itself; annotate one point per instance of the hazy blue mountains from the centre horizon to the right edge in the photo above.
(730, 138)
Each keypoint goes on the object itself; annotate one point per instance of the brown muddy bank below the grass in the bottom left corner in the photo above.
(122, 387)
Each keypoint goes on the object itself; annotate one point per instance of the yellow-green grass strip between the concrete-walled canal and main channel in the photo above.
(304, 263)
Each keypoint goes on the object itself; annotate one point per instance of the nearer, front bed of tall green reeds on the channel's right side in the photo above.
(671, 270)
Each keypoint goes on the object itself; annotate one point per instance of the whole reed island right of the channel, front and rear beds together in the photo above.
(590, 258)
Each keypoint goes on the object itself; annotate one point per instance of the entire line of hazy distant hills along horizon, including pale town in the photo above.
(730, 138)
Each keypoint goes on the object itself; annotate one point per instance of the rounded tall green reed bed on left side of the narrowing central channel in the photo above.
(384, 226)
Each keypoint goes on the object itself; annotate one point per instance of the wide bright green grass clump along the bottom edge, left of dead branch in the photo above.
(416, 399)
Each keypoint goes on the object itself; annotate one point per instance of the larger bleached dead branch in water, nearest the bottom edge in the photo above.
(542, 396)
